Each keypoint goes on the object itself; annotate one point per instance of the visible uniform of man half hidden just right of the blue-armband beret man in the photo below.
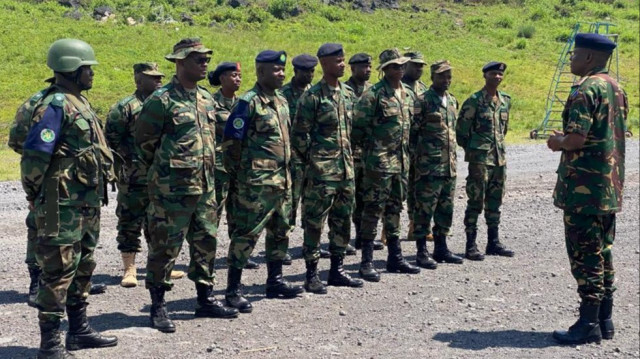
(297, 167)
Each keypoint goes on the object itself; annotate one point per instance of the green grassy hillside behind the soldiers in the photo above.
(526, 34)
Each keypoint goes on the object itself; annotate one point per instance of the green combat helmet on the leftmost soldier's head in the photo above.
(67, 55)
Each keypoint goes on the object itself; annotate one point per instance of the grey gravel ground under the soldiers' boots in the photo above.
(502, 307)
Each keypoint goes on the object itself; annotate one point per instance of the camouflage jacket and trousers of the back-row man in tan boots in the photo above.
(133, 198)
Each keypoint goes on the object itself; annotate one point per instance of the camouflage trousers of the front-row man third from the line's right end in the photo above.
(384, 194)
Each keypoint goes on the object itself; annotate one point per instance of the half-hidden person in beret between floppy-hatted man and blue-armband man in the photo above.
(227, 75)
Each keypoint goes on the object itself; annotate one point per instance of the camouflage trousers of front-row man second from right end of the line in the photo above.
(434, 200)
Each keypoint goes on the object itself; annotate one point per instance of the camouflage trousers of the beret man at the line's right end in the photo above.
(485, 190)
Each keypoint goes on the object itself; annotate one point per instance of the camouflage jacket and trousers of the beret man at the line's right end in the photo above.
(481, 129)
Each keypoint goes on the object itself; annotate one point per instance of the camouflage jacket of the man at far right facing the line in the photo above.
(591, 179)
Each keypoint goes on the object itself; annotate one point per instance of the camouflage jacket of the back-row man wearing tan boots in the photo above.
(119, 130)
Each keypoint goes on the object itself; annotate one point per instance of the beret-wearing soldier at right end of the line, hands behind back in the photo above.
(482, 126)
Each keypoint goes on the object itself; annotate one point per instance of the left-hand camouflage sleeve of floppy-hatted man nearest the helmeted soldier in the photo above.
(149, 126)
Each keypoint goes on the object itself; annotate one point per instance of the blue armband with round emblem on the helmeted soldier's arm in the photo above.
(44, 134)
